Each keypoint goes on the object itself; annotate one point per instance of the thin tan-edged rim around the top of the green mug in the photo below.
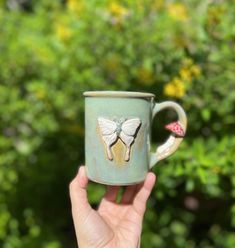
(113, 93)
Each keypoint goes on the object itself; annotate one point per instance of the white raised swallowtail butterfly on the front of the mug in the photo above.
(124, 129)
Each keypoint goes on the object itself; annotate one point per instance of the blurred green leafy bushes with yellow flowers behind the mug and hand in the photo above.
(52, 51)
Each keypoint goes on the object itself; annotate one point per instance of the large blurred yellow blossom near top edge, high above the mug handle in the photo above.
(178, 11)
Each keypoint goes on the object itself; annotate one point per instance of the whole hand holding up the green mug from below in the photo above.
(114, 224)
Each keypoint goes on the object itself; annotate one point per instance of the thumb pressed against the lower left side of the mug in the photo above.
(78, 195)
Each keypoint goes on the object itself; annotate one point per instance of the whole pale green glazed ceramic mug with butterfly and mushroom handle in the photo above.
(118, 132)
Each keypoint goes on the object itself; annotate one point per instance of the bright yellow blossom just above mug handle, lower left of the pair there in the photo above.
(175, 88)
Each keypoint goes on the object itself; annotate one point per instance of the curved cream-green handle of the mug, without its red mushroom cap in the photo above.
(173, 142)
